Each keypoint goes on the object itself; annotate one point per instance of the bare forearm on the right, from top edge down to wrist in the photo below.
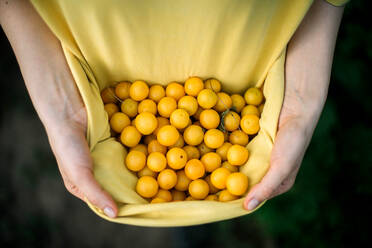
(309, 60)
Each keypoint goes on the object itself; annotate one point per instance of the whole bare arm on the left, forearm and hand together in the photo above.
(56, 99)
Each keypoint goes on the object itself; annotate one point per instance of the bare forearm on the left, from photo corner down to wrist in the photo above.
(44, 68)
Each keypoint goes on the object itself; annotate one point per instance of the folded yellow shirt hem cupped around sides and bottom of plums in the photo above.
(109, 156)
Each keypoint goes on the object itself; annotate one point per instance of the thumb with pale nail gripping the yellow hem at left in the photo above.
(88, 187)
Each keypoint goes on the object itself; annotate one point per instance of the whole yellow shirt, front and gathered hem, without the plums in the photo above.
(242, 43)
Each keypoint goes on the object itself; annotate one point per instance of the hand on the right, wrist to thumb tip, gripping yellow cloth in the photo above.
(294, 134)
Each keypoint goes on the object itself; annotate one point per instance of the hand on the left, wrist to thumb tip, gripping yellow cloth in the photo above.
(71, 150)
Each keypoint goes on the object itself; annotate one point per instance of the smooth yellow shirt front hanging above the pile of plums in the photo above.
(164, 40)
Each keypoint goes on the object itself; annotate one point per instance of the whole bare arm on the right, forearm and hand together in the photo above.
(307, 72)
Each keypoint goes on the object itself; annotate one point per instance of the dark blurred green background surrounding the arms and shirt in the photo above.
(327, 207)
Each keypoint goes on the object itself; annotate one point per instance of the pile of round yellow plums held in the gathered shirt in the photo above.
(185, 141)
